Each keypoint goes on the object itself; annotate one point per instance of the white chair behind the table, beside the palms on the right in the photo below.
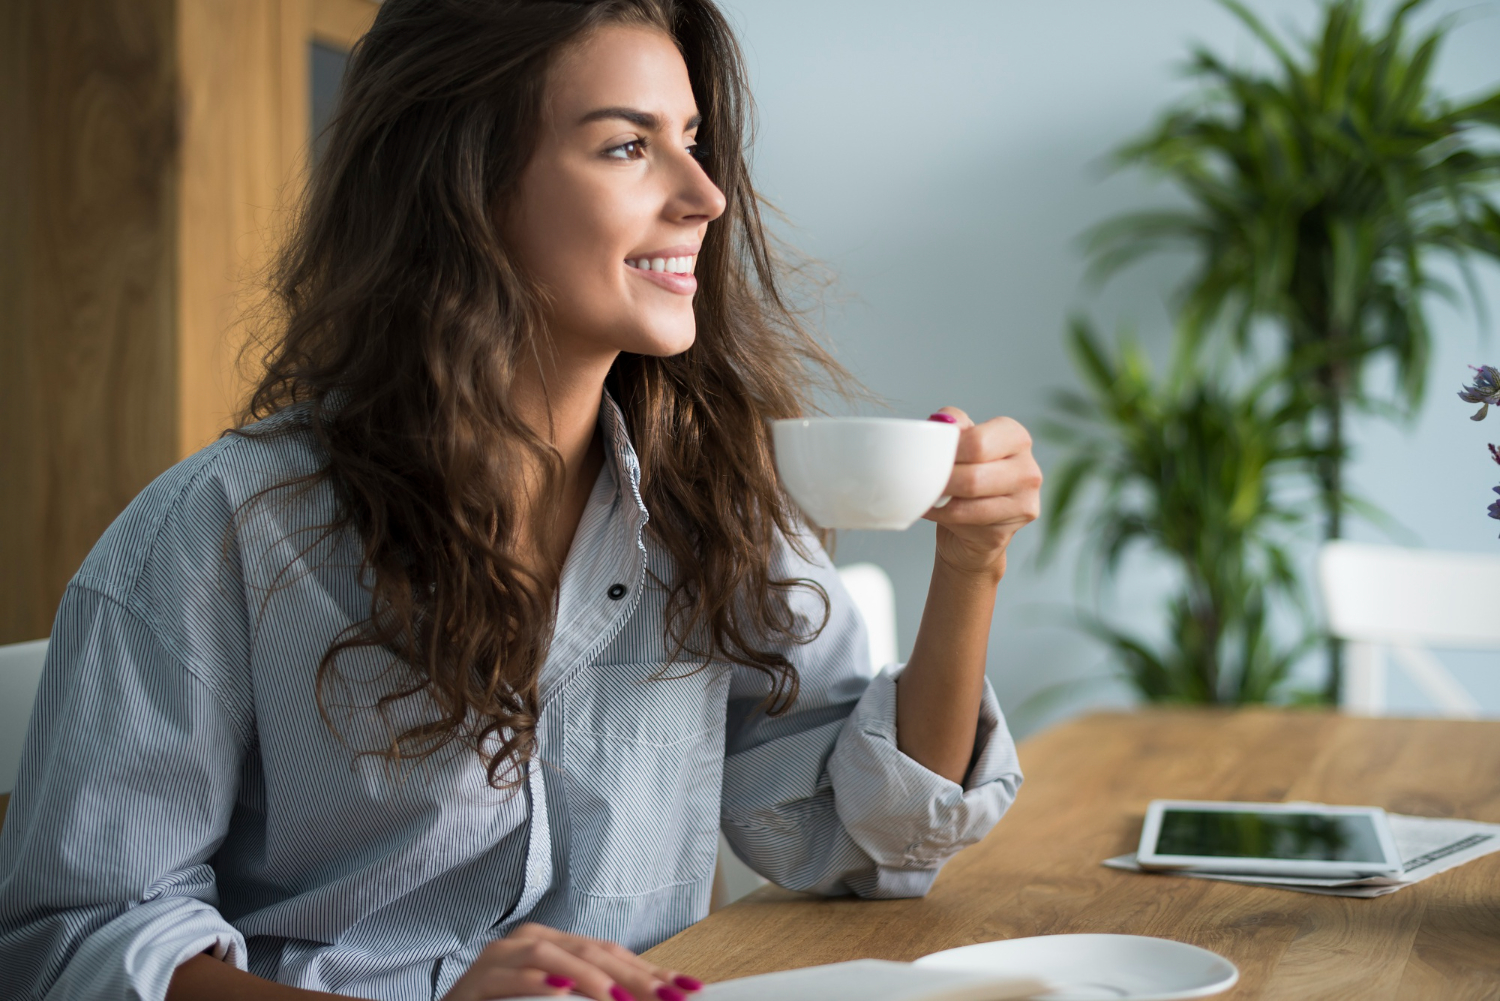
(1408, 601)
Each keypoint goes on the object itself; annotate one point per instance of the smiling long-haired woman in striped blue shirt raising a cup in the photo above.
(440, 681)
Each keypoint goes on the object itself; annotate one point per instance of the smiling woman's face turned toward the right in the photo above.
(614, 205)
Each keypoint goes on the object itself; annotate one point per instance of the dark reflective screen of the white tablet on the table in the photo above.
(1244, 835)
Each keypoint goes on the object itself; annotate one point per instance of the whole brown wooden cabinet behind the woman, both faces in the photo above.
(151, 160)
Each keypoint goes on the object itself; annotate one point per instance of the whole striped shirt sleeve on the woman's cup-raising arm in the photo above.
(821, 799)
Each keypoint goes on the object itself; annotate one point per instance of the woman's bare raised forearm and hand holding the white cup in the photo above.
(995, 490)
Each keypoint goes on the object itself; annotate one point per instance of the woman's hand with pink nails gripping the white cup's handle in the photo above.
(995, 490)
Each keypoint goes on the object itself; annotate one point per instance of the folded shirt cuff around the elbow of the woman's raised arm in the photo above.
(899, 813)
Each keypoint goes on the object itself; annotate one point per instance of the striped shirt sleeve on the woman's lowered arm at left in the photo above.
(127, 789)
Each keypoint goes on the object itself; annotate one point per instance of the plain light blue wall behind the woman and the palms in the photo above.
(943, 160)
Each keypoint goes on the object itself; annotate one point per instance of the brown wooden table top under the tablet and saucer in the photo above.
(1087, 790)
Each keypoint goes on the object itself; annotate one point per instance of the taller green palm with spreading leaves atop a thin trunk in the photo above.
(1318, 194)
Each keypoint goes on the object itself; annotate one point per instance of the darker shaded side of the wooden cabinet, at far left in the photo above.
(91, 338)
